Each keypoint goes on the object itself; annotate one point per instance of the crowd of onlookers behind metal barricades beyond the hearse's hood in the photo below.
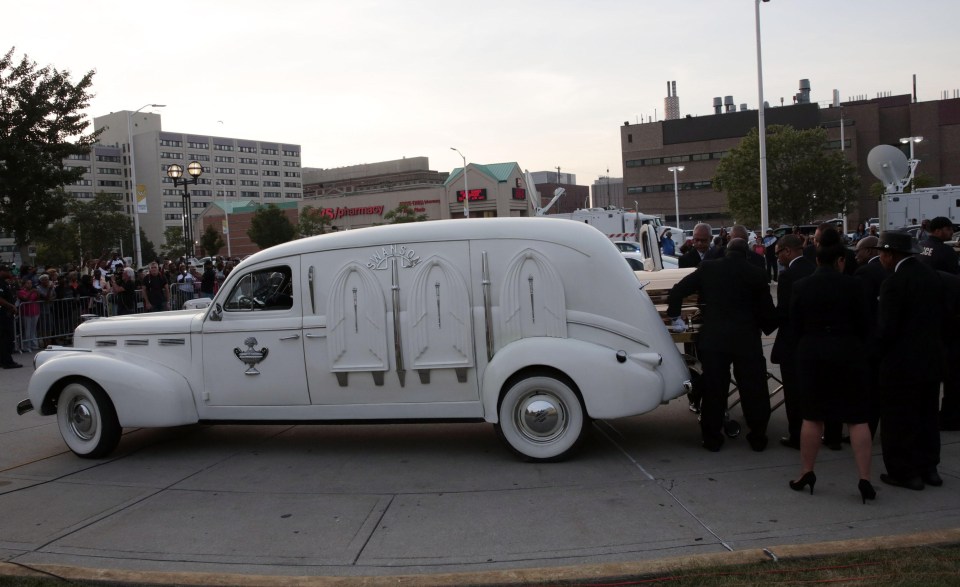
(46, 304)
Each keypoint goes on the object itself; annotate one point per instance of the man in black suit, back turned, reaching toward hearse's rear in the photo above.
(736, 306)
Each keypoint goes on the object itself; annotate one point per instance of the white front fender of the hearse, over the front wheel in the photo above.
(144, 394)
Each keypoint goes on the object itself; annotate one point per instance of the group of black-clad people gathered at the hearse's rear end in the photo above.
(864, 337)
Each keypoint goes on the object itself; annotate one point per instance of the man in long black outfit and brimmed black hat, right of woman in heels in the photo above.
(910, 338)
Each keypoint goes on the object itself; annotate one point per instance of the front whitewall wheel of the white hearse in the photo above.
(87, 420)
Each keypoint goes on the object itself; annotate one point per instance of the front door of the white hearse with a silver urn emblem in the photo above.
(253, 345)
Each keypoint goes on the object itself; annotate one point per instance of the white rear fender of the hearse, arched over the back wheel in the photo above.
(610, 388)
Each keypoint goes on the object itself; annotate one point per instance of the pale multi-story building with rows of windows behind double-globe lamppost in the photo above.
(233, 170)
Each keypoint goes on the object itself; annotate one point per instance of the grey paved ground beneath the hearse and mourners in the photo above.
(431, 504)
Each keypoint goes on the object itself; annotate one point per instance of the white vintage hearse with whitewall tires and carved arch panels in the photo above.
(535, 325)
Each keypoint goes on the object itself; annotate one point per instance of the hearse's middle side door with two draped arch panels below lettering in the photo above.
(391, 325)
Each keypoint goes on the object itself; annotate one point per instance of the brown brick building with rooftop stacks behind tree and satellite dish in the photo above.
(698, 143)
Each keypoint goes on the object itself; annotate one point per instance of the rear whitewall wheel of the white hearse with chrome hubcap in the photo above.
(541, 417)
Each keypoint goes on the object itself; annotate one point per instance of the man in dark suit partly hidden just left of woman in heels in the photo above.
(790, 253)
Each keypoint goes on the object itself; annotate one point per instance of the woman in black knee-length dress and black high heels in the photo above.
(828, 312)
